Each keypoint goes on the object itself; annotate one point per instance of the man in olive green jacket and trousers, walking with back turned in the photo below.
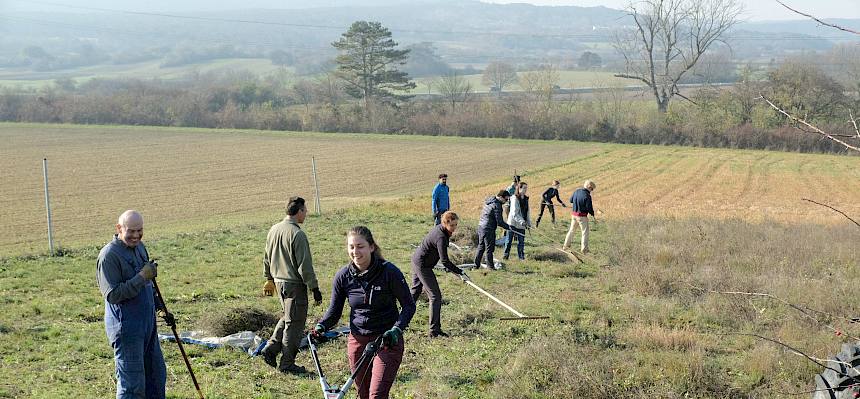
(289, 270)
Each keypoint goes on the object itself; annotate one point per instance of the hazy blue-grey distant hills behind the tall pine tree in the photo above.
(463, 32)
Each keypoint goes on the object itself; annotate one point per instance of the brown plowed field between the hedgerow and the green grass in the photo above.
(190, 179)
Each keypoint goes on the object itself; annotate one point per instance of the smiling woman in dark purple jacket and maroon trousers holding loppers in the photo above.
(373, 286)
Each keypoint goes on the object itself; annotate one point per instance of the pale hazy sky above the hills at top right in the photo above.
(756, 9)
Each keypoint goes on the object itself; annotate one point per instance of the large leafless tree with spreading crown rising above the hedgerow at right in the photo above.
(669, 38)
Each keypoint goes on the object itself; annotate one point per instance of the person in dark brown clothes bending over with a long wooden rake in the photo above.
(434, 249)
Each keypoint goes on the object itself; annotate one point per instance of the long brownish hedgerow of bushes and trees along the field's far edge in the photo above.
(731, 117)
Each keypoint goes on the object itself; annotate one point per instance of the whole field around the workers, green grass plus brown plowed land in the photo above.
(627, 323)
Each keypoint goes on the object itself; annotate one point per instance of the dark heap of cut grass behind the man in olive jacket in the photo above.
(231, 321)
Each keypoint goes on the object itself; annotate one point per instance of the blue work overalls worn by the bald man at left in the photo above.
(130, 322)
